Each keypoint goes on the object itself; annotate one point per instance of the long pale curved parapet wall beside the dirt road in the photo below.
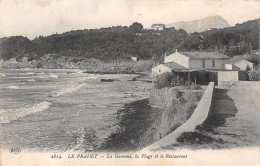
(198, 117)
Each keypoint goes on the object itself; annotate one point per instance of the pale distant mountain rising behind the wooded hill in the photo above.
(200, 25)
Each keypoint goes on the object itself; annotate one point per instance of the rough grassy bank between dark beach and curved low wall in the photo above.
(177, 106)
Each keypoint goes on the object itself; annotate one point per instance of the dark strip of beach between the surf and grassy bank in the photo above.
(138, 123)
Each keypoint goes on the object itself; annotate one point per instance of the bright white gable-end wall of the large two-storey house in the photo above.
(177, 58)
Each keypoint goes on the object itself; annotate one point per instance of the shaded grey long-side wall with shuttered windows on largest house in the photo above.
(197, 64)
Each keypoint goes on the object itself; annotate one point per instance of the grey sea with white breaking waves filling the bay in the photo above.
(62, 109)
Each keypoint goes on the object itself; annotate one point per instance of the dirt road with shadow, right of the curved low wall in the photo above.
(234, 120)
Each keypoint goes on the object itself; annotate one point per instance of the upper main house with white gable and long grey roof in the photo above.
(198, 60)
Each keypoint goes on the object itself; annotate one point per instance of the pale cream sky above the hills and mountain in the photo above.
(32, 18)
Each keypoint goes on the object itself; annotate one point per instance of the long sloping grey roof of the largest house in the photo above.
(206, 55)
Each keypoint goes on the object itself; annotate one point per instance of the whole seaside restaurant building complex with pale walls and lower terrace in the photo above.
(201, 67)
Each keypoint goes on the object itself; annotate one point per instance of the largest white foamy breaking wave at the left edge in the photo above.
(6, 116)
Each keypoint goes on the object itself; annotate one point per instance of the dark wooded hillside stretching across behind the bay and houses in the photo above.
(123, 42)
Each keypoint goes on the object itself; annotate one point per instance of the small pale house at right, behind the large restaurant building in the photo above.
(238, 64)
